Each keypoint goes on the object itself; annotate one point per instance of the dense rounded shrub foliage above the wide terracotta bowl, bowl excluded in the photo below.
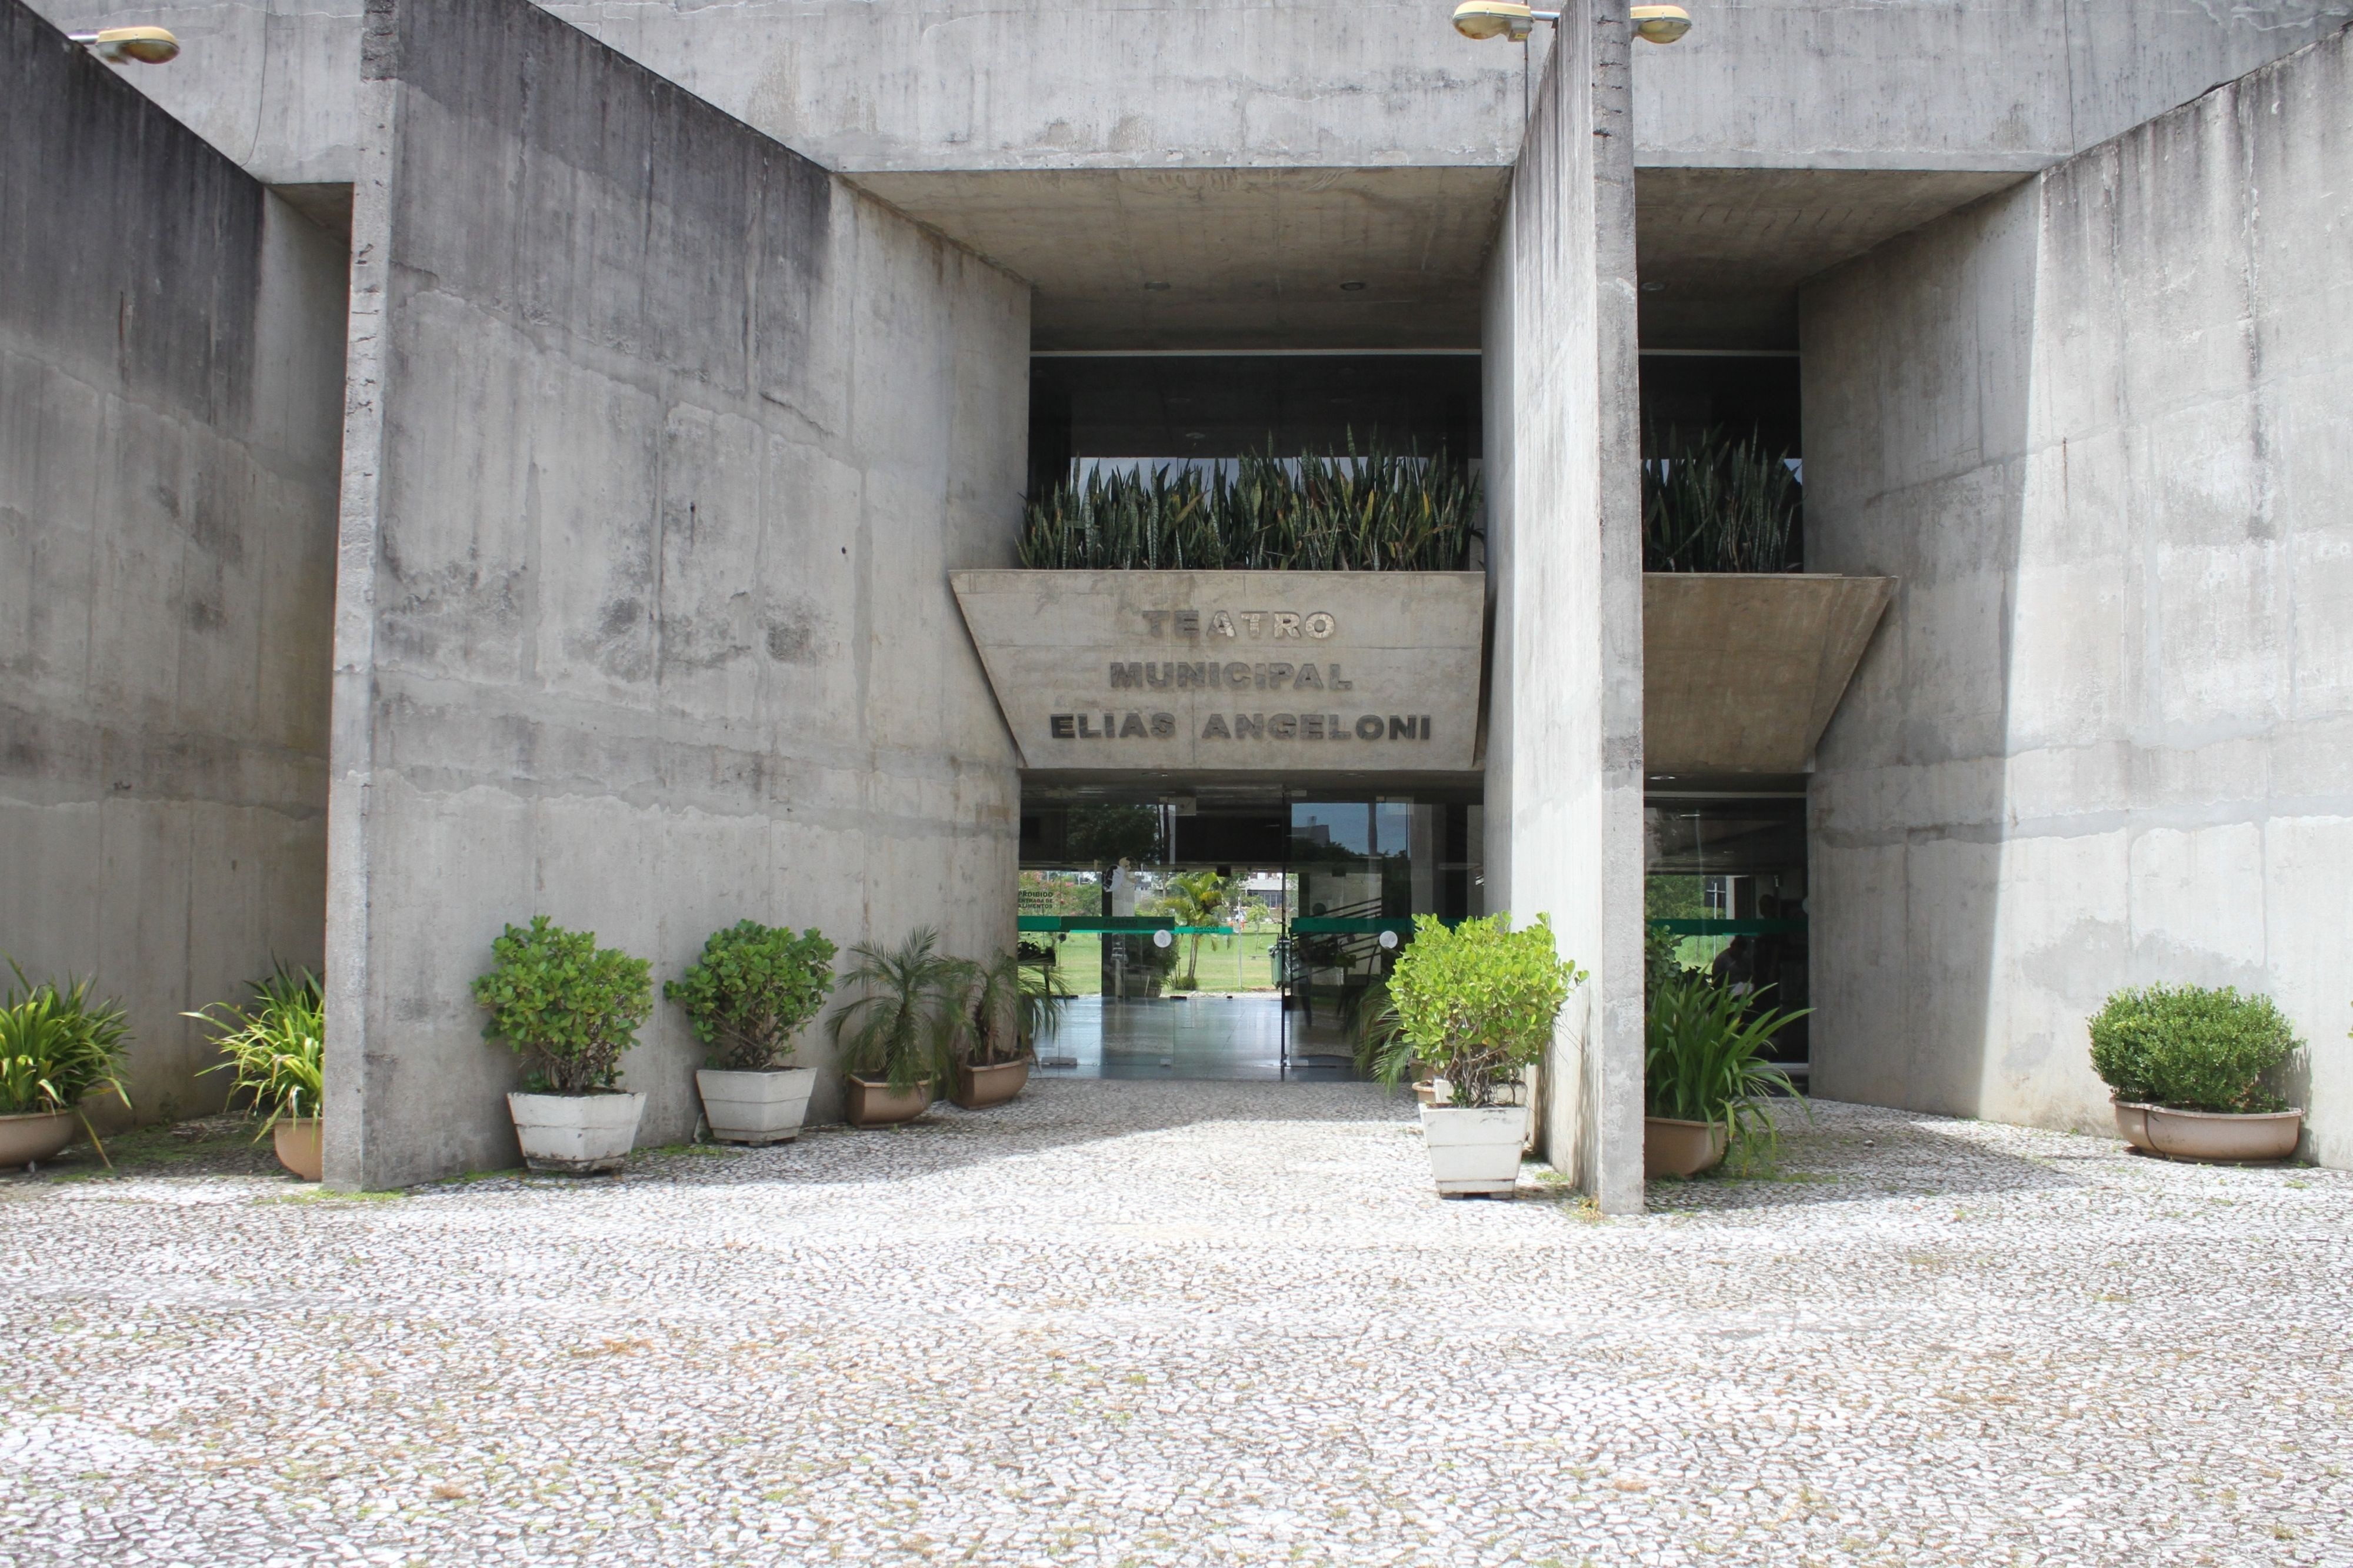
(2192, 1049)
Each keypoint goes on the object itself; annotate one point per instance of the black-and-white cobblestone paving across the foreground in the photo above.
(1189, 1324)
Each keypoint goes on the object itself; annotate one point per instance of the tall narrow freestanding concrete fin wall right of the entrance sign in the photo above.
(1566, 562)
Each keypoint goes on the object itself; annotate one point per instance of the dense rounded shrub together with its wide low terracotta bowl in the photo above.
(2187, 1070)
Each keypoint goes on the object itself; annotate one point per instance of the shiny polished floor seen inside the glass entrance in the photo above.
(1192, 1037)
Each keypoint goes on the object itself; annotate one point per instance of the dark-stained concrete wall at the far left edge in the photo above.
(171, 394)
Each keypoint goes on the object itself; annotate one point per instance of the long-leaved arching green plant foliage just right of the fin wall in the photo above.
(1705, 1056)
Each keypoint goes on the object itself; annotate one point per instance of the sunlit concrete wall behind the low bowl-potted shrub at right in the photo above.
(2107, 731)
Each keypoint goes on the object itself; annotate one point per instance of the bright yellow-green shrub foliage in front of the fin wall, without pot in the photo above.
(1479, 1004)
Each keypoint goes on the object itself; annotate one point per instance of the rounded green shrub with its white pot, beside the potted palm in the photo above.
(745, 999)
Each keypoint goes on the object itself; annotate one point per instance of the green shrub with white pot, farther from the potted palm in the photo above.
(571, 1009)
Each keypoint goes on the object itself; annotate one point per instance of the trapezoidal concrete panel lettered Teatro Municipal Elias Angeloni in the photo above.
(1335, 672)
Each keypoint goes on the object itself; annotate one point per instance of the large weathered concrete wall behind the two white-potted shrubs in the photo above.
(662, 449)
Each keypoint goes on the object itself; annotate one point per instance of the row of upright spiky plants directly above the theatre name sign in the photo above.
(1342, 512)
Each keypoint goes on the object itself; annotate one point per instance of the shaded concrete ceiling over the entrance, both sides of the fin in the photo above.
(1260, 258)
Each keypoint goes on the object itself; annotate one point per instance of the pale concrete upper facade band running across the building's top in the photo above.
(1218, 84)
